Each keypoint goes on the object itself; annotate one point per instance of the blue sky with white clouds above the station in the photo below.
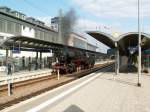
(110, 16)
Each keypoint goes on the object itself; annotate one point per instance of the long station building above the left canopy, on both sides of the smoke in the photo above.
(14, 23)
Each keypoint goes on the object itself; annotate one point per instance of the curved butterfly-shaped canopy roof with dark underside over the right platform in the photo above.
(124, 41)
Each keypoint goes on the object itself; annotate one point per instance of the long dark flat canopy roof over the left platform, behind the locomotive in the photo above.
(25, 43)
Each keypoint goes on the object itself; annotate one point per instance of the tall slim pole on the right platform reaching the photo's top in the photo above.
(139, 46)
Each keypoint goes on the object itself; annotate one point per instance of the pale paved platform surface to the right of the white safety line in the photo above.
(108, 93)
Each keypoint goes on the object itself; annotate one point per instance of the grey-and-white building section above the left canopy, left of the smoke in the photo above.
(13, 23)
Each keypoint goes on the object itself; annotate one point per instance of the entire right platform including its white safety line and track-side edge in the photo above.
(102, 91)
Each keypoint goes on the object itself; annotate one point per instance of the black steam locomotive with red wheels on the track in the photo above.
(70, 60)
